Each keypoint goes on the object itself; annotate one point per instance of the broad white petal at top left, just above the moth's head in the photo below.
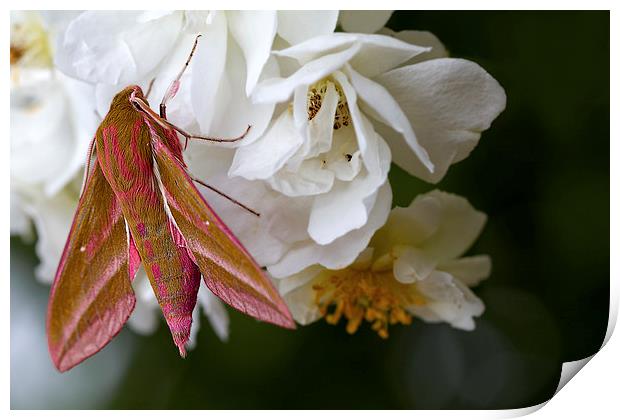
(115, 47)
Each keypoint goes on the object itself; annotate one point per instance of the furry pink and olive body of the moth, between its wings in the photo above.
(124, 148)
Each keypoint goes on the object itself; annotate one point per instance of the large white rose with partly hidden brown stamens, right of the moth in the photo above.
(327, 152)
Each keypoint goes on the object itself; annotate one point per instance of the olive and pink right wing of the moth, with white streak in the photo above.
(227, 268)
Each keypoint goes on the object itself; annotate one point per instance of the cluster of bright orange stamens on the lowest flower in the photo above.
(358, 295)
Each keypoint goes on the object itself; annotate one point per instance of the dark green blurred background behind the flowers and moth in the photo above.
(541, 173)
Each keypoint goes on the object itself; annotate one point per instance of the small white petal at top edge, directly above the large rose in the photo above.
(296, 26)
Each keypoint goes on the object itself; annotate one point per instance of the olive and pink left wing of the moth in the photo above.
(91, 297)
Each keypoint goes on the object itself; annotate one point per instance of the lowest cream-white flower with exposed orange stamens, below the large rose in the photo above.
(413, 266)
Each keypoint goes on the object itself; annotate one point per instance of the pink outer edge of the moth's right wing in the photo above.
(284, 318)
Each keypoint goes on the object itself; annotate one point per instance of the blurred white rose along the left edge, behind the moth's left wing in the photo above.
(52, 123)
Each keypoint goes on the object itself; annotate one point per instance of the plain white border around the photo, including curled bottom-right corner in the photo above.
(593, 394)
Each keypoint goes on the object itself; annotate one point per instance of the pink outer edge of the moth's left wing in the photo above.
(71, 359)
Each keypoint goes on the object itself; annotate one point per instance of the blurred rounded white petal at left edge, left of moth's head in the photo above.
(48, 146)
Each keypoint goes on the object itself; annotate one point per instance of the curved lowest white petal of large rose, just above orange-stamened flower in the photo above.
(339, 253)
